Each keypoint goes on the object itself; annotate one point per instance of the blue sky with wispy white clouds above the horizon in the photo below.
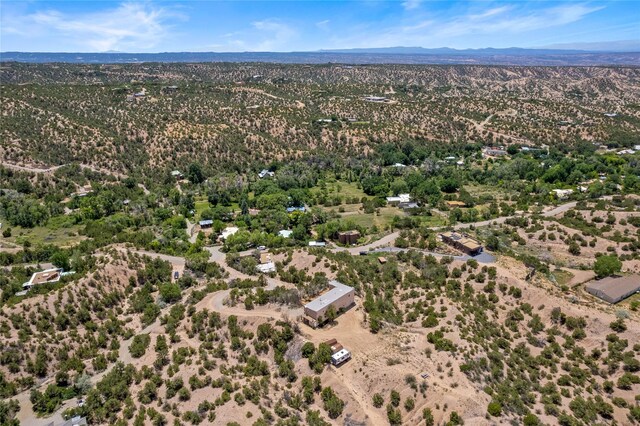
(232, 26)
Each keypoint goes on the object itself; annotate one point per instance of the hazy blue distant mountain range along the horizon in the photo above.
(388, 55)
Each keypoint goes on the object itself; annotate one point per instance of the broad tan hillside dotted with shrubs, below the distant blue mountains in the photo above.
(142, 118)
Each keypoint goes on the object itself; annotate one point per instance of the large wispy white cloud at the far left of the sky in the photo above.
(127, 27)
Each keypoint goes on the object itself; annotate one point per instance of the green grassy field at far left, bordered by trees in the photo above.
(58, 231)
